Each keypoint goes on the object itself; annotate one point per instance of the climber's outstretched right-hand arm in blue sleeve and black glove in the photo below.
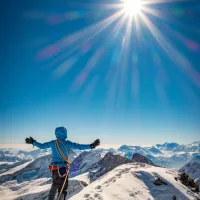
(73, 145)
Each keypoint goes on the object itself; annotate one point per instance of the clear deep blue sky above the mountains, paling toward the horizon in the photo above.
(100, 71)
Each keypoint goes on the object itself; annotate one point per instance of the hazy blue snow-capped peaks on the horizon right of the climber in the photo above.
(171, 155)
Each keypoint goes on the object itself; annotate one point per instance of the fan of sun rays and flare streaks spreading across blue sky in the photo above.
(126, 26)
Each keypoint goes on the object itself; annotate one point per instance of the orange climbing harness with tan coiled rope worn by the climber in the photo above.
(65, 158)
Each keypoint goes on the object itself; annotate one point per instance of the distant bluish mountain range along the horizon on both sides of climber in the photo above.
(171, 155)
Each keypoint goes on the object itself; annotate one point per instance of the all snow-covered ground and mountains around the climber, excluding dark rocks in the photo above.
(128, 181)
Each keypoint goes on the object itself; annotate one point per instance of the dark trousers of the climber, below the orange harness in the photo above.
(58, 181)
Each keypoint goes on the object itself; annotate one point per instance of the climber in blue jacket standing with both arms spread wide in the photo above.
(60, 164)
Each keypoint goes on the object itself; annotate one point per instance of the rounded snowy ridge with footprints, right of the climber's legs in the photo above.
(135, 181)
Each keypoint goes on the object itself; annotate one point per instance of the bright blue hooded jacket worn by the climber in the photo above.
(61, 135)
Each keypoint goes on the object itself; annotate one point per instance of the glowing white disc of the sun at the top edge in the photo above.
(132, 7)
